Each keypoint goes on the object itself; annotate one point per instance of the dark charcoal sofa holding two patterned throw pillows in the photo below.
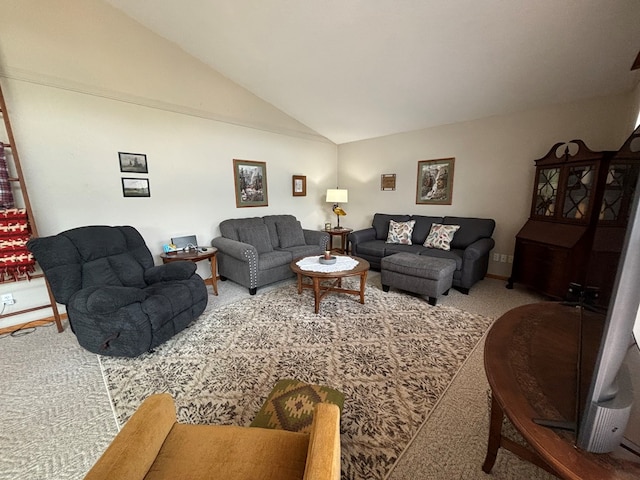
(470, 246)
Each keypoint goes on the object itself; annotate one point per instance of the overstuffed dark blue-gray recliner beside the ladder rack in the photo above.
(118, 303)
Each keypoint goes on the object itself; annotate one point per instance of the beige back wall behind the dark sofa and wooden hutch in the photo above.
(494, 163)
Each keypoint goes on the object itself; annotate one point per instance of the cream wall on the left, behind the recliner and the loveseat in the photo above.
(79, 90)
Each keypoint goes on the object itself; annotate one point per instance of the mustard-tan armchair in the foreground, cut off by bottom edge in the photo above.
(152, 445)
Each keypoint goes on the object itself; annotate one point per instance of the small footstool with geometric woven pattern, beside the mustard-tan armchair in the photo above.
(290, 405)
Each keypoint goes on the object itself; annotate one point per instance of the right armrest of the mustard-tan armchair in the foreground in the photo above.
(323, 455)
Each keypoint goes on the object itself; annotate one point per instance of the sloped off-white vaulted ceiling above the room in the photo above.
(357, 69)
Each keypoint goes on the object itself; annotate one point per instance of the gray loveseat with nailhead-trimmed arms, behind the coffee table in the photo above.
(257, 251)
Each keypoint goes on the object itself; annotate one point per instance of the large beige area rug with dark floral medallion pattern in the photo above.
(393, 358)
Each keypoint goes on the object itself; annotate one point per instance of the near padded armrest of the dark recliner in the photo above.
(106, 299)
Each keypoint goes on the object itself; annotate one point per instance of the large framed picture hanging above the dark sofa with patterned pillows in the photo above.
(435, 182)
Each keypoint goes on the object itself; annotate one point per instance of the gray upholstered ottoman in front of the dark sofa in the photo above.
(418, 274)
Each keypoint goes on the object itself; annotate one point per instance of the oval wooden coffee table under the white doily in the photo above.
(320, 289)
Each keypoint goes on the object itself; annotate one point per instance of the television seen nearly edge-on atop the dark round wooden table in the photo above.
(604, 416)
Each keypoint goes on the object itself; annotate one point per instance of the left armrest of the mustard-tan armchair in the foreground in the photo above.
(135, 448)
